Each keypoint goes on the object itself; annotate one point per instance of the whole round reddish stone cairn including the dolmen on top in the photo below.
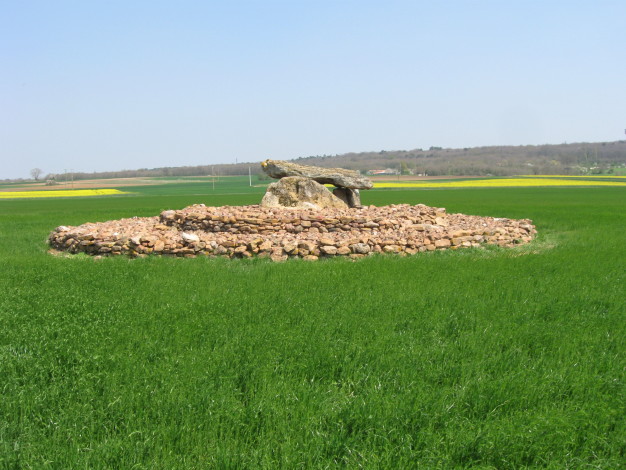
(298, 218)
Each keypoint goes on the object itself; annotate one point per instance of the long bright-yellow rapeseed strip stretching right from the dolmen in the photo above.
(498, 183)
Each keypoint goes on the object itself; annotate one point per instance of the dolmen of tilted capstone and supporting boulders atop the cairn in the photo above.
(302, 186)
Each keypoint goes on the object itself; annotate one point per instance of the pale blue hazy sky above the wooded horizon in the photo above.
(109, 85)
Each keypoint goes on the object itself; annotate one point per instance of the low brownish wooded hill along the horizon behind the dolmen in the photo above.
(568, 159)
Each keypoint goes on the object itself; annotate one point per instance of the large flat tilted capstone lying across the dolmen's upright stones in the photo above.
(337, 176)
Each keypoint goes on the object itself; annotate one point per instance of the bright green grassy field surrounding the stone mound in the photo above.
(500, 359)
